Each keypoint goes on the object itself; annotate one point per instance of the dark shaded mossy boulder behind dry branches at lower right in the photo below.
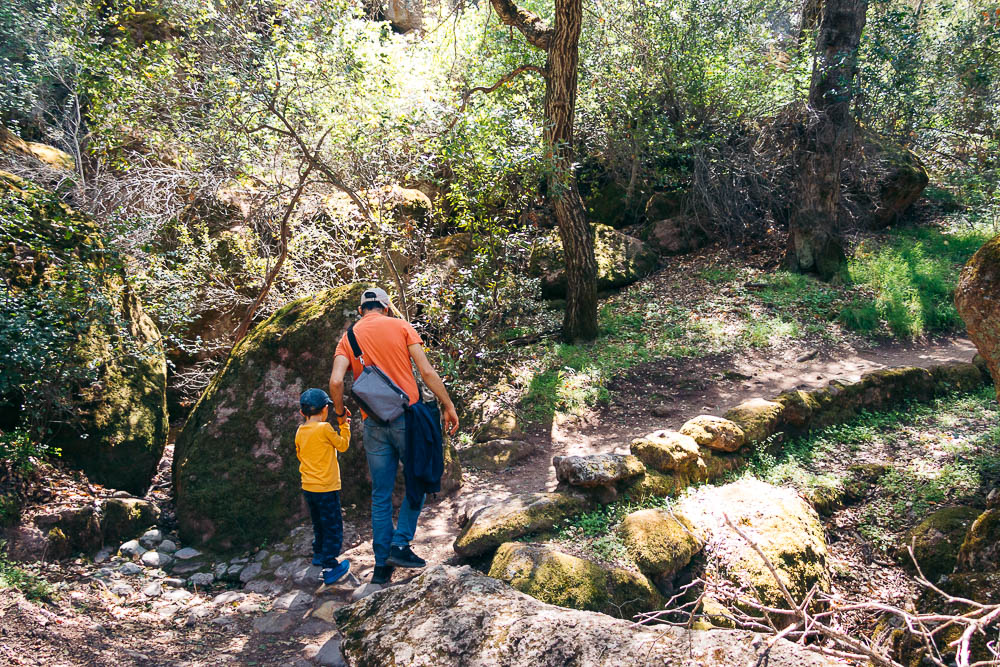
(936, 541)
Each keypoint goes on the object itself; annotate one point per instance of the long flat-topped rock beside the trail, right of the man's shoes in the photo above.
(515, 517)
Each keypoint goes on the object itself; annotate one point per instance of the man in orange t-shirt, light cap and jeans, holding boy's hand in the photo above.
(390, 344)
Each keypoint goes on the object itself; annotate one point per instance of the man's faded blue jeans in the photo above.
(384, 447)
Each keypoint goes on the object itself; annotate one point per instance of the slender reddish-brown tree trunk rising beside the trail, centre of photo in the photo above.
(580, 320)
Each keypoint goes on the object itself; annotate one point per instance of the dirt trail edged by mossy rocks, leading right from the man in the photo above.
(678, 390)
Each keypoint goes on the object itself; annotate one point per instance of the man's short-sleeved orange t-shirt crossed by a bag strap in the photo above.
(384, 342)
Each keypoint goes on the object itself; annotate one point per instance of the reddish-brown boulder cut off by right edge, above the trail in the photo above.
(977, 299)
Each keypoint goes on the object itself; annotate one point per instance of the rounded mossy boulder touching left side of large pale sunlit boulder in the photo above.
(659, 542)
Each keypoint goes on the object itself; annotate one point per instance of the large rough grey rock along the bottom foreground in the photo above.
(456, 617)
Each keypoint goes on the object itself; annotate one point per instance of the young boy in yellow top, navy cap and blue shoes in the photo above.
(316, 445)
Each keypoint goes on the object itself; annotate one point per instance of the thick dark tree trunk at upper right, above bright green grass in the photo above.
(814, 243)
